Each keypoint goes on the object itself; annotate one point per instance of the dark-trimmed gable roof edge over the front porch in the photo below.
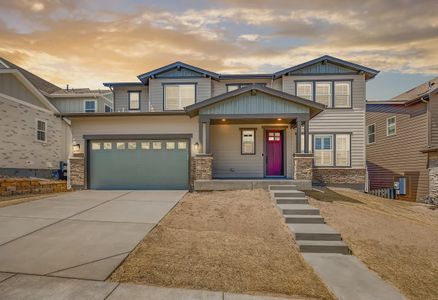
(315, 108)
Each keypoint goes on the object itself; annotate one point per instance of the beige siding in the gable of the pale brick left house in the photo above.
(11, 86)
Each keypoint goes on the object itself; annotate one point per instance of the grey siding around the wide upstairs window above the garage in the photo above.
(156, 90)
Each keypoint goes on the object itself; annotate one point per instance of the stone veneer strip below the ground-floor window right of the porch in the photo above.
(339, 176)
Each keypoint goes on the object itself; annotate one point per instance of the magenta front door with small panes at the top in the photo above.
(274, 153)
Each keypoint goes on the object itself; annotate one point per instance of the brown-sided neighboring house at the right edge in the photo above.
(402, 141)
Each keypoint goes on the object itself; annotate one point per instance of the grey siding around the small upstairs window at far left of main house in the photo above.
(121, 98)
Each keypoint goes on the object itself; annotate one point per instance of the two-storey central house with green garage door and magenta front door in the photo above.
(181, 123)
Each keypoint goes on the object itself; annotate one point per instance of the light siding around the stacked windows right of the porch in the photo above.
(340, 120)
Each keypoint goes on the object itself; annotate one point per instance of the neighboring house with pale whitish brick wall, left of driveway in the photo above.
(34, 138)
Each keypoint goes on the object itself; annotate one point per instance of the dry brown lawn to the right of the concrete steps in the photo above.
(396, 239)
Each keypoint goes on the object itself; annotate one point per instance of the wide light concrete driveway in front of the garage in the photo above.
(83, 235)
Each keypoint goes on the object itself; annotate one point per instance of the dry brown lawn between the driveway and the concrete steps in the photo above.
(233, 241)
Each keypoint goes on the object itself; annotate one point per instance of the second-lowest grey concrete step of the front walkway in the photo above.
(314, 232)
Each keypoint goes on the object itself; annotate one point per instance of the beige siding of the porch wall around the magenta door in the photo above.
(228, 162)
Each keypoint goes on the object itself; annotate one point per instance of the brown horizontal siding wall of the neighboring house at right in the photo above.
(400, 154)
